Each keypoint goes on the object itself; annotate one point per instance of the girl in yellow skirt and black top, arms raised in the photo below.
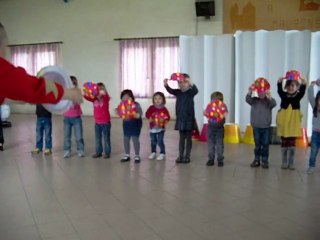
(289, 118)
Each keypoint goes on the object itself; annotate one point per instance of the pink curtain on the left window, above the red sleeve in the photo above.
(35, 57)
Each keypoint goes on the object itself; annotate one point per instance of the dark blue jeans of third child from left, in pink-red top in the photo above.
(103, 129)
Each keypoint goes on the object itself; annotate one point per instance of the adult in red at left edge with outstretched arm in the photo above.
(16, 84)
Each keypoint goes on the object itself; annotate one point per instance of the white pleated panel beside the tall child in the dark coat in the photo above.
(210, 62)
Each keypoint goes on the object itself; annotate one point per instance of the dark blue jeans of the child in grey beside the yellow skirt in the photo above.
(261, 140)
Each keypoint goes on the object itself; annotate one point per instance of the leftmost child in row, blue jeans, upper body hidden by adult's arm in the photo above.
(44, 127)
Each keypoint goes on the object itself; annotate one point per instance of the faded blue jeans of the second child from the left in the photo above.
(76, 122)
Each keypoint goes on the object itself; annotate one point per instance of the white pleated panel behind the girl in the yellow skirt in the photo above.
(270, 55)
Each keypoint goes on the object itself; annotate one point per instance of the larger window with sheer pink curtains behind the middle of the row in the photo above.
(144, 63)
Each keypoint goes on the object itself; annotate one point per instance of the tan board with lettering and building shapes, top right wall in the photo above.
(253, 15)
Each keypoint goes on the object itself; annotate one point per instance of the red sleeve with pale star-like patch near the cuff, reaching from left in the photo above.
(16, 84)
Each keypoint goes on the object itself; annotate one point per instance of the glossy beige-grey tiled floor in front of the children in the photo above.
(52, 198)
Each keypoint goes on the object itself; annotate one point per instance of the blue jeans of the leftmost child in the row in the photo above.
(44, 126)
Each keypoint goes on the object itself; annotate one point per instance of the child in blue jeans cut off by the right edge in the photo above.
(315, 138)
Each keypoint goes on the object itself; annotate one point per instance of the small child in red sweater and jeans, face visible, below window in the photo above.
(158, 115)
